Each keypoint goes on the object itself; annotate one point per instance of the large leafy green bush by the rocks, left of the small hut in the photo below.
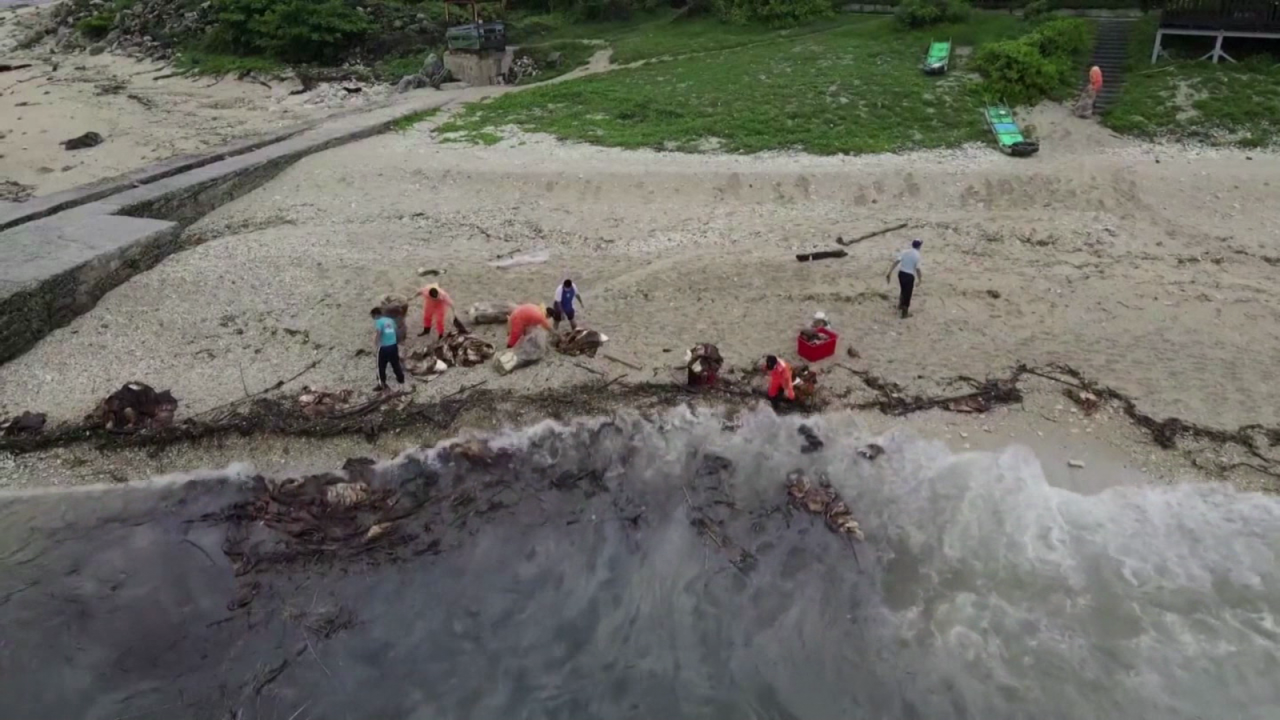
(296, 31)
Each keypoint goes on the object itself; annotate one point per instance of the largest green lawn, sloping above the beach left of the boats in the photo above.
(853, 88)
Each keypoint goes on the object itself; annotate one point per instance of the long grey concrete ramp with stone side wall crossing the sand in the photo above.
(60, 256)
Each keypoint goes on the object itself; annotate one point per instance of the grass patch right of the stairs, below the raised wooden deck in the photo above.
(1224, 104)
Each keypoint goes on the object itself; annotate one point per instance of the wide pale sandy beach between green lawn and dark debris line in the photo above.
(1150, 270)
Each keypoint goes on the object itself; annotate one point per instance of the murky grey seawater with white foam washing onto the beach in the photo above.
(980, 593)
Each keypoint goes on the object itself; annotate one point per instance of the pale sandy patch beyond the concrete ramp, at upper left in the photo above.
(144, 111)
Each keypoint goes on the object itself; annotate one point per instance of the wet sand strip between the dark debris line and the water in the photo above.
(1081, 453)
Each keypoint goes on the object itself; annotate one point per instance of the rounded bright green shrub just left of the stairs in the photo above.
(1040, 65)
